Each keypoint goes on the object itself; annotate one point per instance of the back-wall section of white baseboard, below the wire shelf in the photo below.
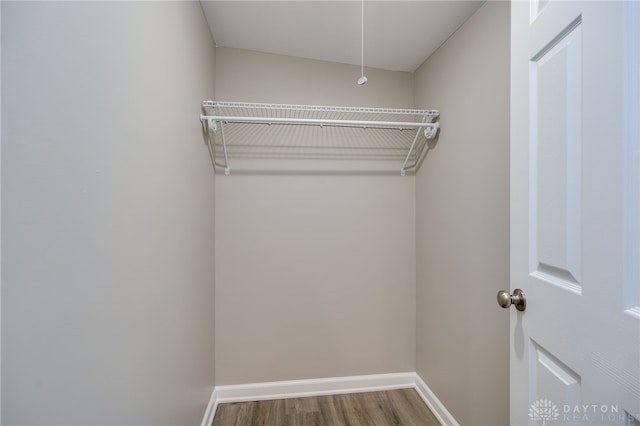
(314, 387)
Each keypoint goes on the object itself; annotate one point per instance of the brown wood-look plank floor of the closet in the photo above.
(395, 407)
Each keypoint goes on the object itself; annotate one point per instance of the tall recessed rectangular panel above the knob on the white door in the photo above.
(556, 118)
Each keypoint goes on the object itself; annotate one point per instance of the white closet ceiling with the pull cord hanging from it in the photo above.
(398, 35)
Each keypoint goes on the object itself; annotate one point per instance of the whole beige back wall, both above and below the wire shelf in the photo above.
(315, 274)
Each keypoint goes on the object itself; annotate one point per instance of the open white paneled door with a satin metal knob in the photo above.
(575, 211)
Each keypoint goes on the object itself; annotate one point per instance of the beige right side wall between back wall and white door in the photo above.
(463, 221)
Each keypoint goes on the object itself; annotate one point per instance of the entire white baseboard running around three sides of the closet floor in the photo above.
(326, 386)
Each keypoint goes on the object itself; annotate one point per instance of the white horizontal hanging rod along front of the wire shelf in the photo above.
(320, 122)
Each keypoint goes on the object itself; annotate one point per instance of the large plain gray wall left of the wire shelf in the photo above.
(107, 214)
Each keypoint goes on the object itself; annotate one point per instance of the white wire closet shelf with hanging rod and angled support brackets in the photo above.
(281, 131)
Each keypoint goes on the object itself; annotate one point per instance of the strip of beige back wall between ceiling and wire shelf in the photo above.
(247, 76)
